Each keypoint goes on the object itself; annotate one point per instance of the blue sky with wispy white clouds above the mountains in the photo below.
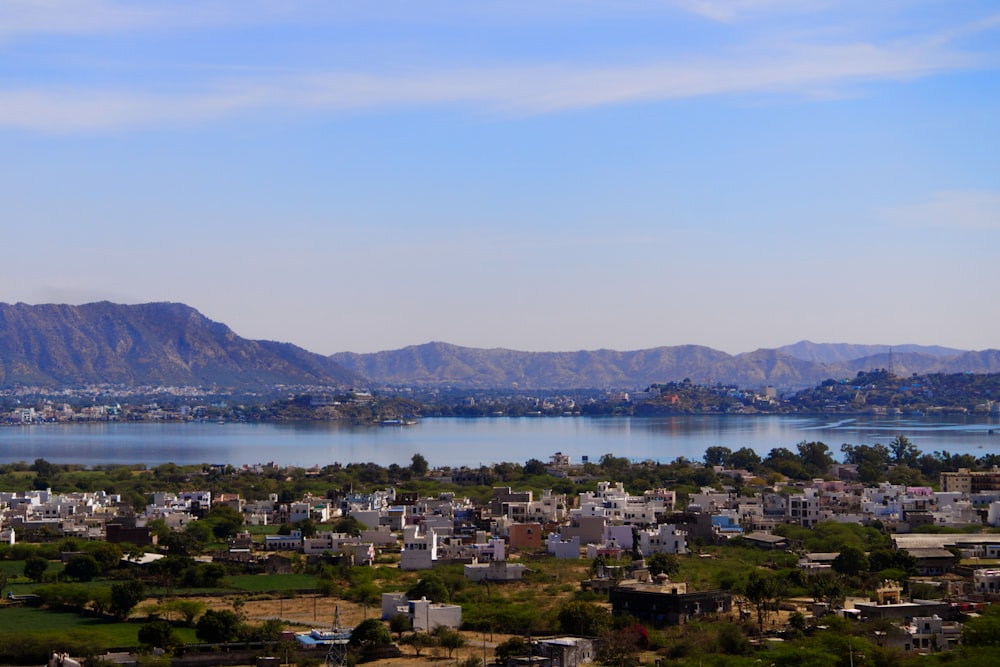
(534, 175)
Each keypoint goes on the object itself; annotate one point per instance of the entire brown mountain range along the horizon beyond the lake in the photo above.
(173, 344)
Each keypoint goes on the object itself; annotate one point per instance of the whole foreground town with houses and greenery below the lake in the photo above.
(623, 563)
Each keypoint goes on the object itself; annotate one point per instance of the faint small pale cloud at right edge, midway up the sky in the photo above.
(961, 209)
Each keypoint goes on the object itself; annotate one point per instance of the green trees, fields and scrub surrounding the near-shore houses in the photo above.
(772, 617)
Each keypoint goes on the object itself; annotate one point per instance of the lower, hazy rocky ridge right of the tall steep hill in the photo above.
(798, 366)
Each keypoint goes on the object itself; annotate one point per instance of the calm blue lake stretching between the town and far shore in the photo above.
(475, 442)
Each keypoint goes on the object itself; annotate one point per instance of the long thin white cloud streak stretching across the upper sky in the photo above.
(511, 90)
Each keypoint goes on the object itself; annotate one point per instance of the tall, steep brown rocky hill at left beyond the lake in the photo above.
(148, 344)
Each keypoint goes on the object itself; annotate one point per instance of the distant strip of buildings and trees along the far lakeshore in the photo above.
(876, 392)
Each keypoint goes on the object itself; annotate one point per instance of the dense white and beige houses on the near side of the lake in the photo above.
(609, 522)
